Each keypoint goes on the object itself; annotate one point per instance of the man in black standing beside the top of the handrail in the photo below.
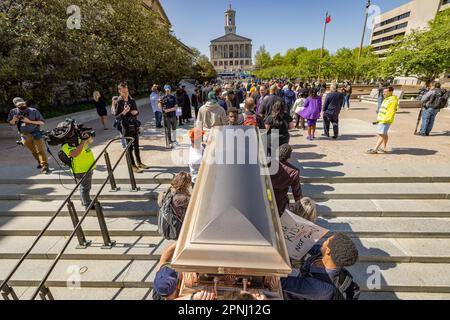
(126, 113)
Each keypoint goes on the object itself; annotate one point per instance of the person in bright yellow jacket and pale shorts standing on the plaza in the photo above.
(386, 117)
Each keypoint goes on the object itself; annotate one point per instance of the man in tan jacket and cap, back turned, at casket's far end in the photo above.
(211, 114)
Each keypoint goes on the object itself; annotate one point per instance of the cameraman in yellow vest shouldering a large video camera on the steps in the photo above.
(82, 159)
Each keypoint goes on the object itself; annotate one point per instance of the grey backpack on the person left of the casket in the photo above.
(169, 224)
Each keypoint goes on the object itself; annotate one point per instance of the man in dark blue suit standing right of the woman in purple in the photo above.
(332, 108)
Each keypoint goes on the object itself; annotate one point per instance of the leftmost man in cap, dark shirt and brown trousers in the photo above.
(28, 122)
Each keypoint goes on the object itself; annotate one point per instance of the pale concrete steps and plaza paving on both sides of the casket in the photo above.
(396, 208)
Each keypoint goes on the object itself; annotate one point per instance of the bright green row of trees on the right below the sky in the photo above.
(424, 54)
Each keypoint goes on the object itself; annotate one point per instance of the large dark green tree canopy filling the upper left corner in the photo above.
(44, 60)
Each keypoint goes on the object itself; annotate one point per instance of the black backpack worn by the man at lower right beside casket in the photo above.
(344, 286)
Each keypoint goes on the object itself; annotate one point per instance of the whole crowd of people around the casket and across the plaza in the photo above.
(277, 107)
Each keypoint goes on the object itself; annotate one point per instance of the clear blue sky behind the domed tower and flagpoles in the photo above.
(277, 24)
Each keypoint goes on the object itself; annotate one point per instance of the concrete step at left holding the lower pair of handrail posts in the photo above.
(126, 248)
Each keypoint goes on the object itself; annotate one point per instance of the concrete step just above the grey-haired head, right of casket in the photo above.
(378, 191)
